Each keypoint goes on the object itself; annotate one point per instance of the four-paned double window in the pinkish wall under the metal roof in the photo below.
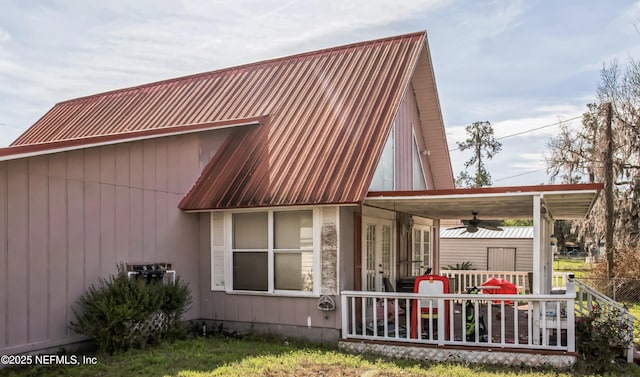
(273, 251)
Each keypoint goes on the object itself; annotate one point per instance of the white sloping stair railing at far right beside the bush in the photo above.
(588, 298)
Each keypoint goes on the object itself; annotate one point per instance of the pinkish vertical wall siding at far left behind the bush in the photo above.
(67, 218)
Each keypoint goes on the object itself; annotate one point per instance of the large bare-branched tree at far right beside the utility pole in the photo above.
(606, 149)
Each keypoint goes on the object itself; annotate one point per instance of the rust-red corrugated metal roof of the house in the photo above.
(329, 114)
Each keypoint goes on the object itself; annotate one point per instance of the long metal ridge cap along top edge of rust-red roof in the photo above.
(246, 65)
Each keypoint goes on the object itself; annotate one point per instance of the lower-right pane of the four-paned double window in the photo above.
(294, 271)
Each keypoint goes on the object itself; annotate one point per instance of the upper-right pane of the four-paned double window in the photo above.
(293, 230)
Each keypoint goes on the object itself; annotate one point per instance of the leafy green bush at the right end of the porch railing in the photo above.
(602, 339)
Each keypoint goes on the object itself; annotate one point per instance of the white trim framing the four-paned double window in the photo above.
(228, 254)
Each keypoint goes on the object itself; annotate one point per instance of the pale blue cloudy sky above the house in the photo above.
(521, 65)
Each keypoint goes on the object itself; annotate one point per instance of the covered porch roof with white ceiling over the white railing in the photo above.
(561, 201)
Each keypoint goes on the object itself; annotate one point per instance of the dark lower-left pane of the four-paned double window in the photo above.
(250, 271)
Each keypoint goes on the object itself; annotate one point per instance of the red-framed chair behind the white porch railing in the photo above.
(429, 285)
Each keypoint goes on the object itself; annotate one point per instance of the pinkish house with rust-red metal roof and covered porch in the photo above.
(279, 190)
